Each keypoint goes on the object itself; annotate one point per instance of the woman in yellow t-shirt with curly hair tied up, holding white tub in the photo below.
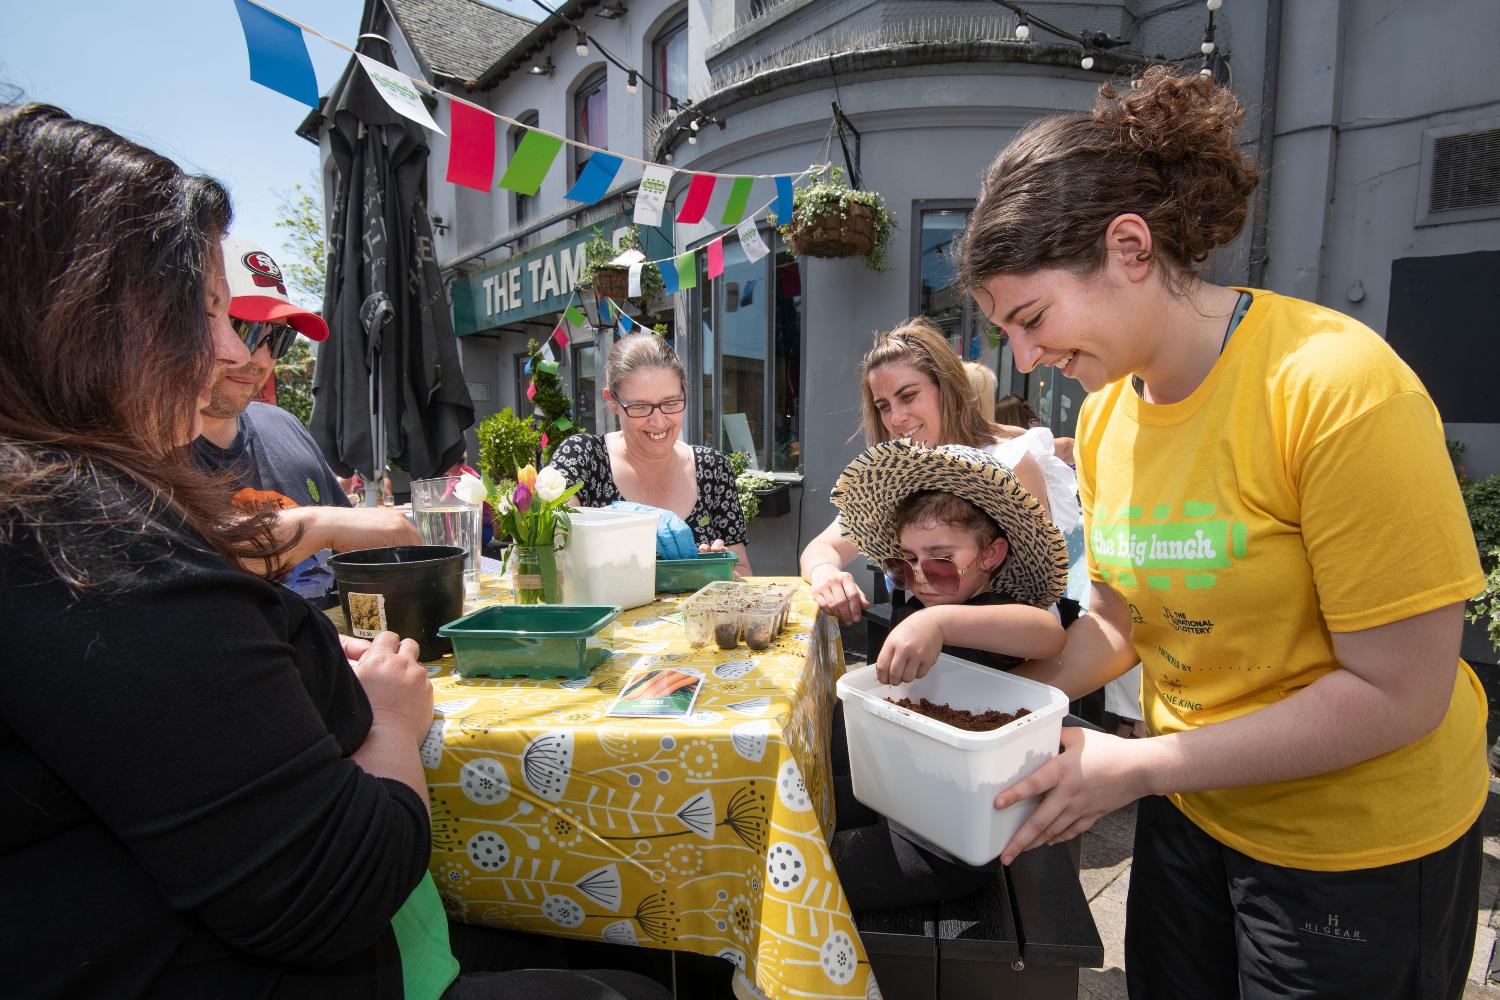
(1276, 533)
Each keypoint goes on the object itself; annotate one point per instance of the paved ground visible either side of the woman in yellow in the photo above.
(1106, 878)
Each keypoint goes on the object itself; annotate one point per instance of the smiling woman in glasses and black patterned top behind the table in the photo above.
(646, 463)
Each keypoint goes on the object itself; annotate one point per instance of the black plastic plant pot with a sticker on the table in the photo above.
(409, 590)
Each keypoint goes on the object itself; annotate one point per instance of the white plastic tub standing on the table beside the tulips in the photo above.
(610, 558)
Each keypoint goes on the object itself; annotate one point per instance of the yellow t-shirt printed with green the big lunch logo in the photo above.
(1304, 488)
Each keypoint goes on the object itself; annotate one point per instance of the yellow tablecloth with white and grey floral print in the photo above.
(707, 834)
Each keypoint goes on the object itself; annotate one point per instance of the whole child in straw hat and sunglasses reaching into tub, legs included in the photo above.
(985, 569)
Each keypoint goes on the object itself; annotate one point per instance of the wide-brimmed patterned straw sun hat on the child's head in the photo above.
(871, 488)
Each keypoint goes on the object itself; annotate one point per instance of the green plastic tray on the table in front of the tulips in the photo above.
(530, 641)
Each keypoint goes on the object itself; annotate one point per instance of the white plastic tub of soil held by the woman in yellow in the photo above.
(941, 782)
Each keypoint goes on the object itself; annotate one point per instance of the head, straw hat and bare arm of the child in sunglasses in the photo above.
(980, 560)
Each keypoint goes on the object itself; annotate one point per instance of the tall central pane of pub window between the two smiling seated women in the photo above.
(743, 307)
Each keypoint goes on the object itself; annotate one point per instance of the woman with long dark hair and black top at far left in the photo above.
(202, 794)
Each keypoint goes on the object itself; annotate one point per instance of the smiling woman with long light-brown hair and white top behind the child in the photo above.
(914, 386)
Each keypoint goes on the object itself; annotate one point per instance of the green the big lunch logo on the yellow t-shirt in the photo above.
(1172, 548)
